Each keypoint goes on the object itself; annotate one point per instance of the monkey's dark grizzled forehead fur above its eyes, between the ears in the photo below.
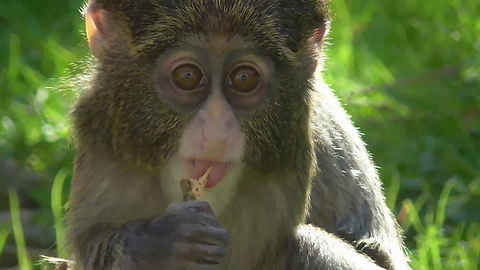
(278, 26)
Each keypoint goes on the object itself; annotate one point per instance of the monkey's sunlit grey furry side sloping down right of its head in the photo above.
(347, 197)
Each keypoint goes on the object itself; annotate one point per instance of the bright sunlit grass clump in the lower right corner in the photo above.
(437, 248)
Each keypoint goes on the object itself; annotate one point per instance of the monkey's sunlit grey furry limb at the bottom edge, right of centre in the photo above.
(312, 248)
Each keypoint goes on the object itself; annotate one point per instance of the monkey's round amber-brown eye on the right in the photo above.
(244, 79)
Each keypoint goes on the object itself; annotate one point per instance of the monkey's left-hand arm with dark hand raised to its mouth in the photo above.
(116, 220)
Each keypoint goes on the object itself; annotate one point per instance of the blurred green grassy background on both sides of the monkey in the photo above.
(407, 71)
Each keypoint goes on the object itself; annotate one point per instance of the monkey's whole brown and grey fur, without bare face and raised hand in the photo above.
(304, 159)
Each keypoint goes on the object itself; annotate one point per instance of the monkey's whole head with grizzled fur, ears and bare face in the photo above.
(211, 82)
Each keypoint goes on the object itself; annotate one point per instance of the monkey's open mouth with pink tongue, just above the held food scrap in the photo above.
(197, 167)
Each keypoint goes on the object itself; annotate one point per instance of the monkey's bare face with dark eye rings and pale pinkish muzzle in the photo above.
(224, 83)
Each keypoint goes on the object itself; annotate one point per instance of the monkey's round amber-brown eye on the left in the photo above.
(187, 77)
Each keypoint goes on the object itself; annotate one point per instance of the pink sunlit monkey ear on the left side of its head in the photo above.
(100, 29)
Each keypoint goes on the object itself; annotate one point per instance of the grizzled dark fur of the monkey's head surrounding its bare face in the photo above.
(129, 130)
